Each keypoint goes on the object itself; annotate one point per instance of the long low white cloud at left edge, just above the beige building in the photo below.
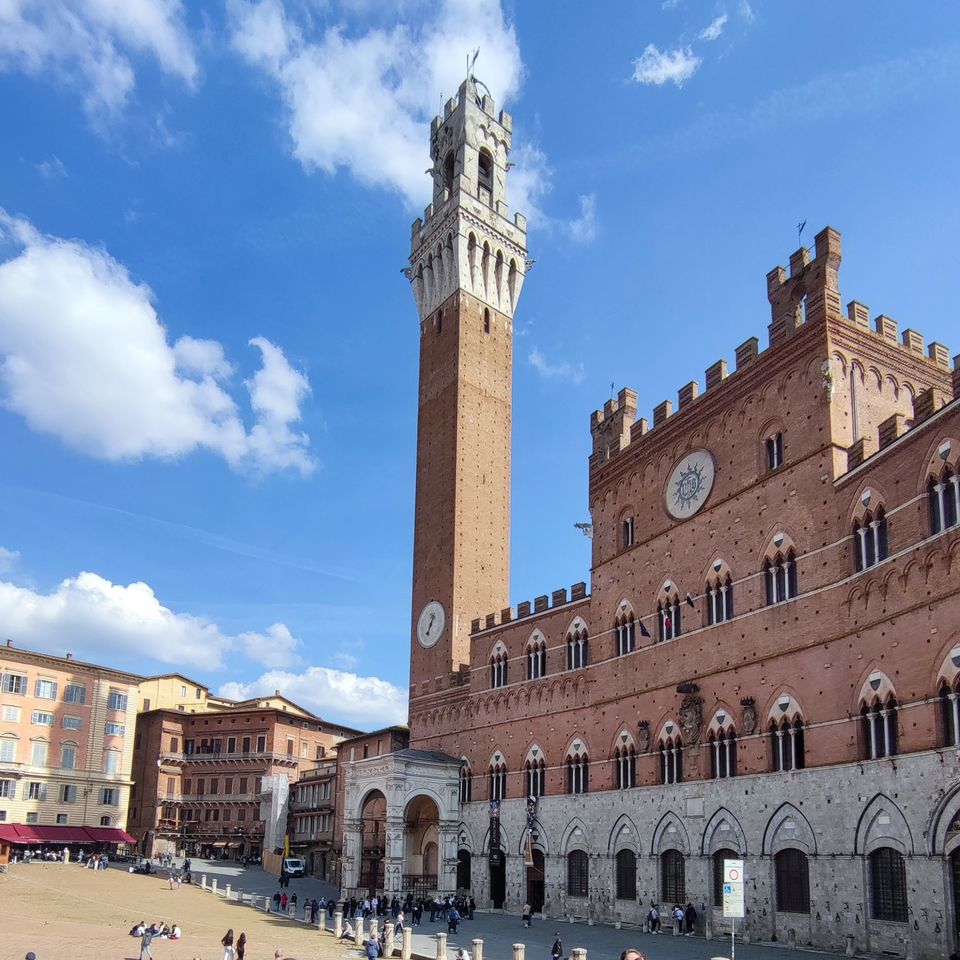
(95, 619)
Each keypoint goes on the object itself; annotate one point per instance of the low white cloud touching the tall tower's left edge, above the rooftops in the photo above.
(332, 694)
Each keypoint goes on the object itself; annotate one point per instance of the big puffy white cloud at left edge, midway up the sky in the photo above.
(84, 357)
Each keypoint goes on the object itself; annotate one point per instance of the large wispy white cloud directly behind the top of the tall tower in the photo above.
(364, 100)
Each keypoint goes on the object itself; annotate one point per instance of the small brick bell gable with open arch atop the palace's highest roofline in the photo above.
(811, 292)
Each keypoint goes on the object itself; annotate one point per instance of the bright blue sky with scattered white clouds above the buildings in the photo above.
(208, 354)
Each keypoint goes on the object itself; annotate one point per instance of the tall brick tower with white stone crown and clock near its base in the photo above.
(467, 265)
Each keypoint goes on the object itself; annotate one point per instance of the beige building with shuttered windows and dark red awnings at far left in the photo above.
(66, 748)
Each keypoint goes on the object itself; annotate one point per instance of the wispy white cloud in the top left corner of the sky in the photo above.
(88, 45)
